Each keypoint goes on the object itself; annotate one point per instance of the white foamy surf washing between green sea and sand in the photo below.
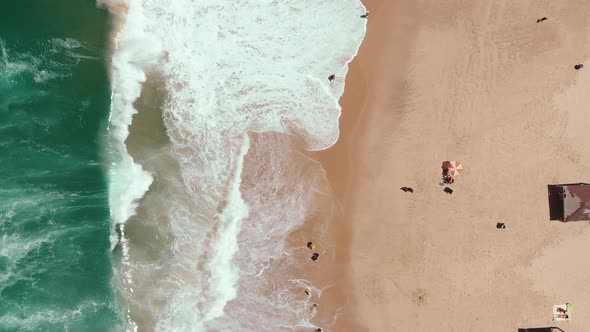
(201, 213)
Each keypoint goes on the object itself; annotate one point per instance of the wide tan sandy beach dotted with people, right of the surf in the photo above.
(480, 82)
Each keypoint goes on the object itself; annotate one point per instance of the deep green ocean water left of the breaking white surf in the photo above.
(55, 265)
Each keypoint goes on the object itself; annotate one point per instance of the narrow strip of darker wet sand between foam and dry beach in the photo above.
(338, 161)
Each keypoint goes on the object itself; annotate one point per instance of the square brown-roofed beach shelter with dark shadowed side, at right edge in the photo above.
(569, 202)
